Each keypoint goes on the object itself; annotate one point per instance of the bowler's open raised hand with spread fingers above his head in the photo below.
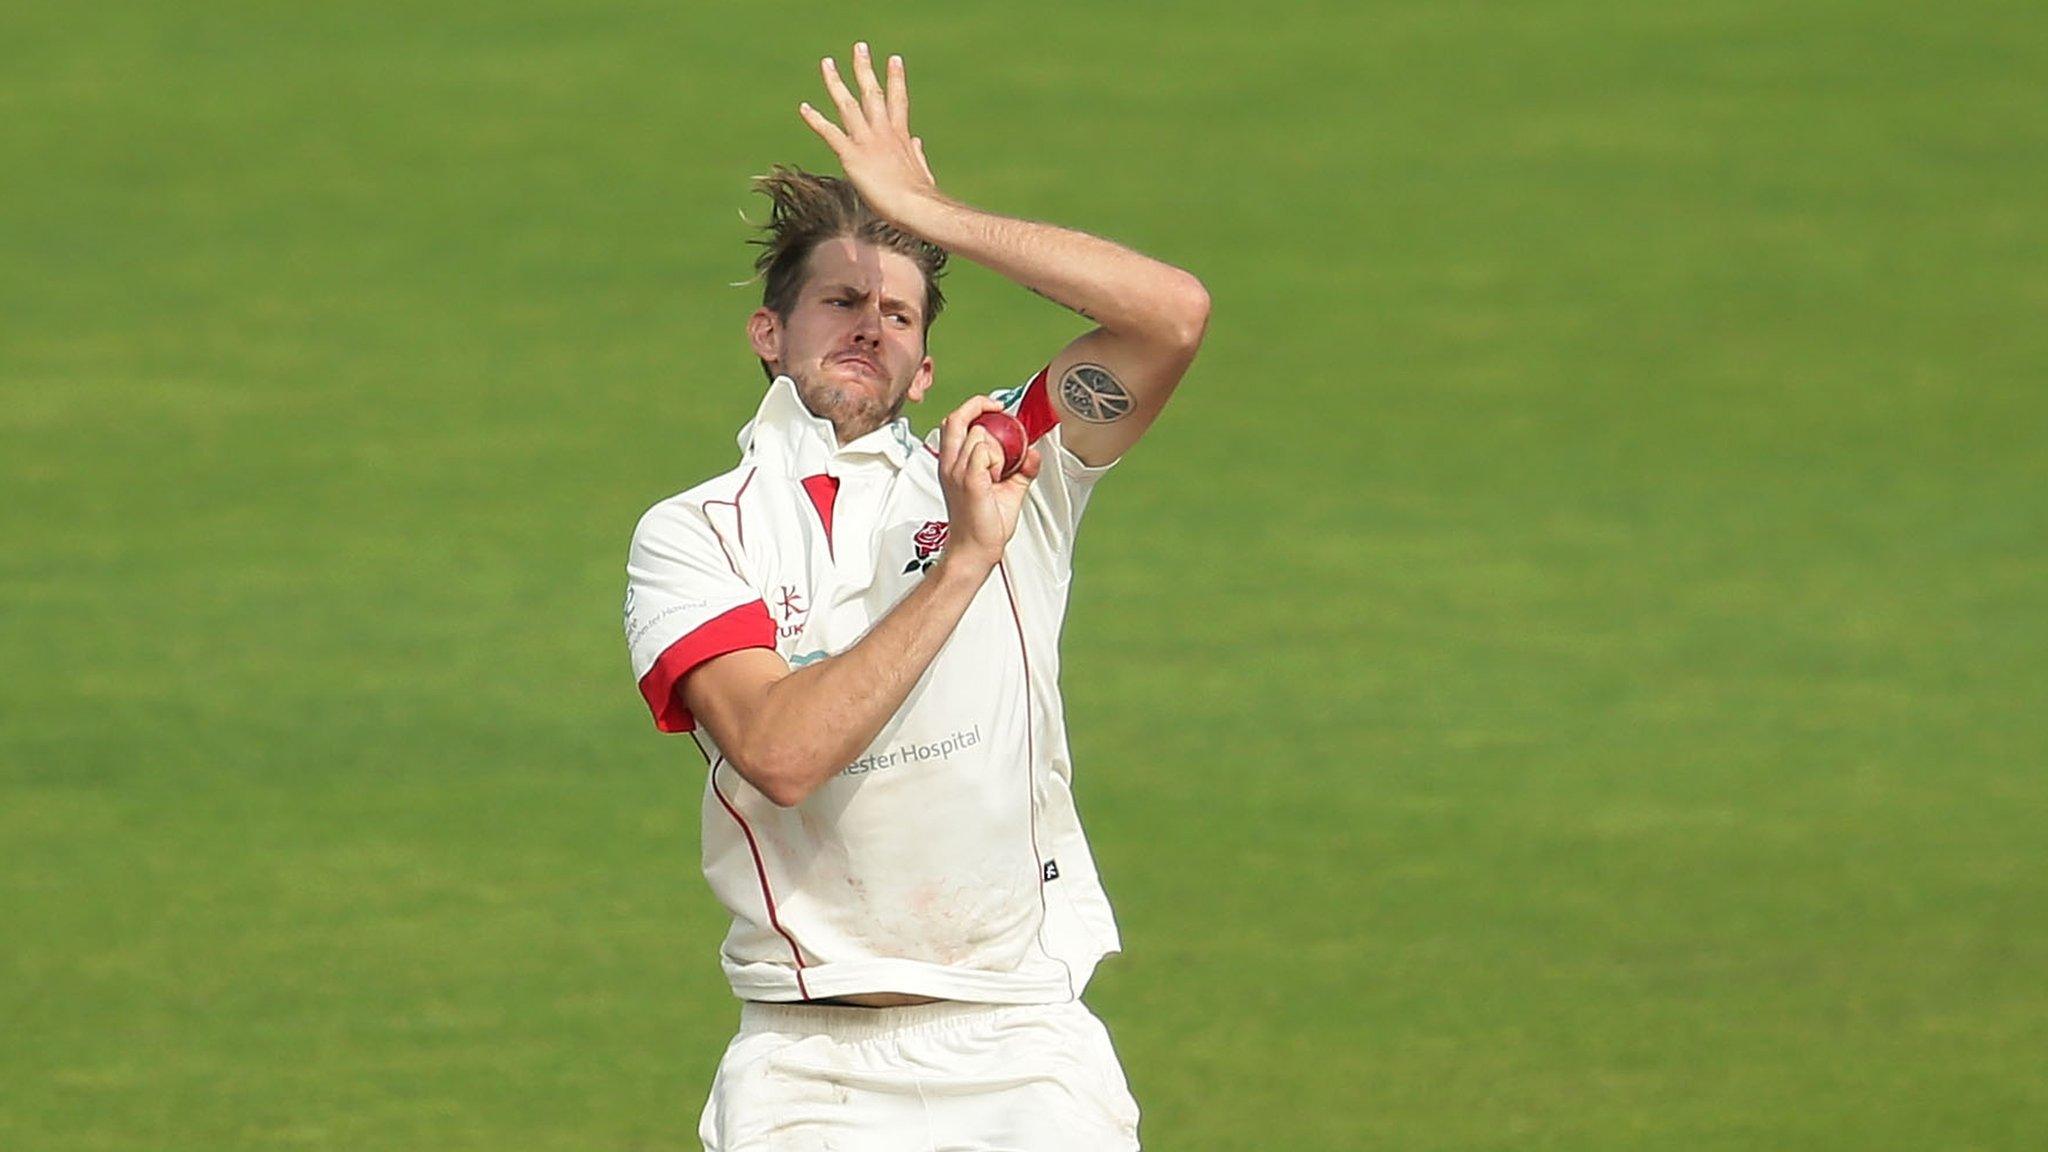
(873, 140)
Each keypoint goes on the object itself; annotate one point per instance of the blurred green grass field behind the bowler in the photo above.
(1568, 673)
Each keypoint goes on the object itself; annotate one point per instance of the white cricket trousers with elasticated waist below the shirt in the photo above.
(925, 1079)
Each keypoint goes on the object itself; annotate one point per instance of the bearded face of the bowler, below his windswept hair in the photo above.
(855, 337)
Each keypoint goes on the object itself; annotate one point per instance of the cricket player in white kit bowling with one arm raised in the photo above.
(861, 632)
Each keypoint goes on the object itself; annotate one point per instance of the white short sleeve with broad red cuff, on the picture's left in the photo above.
(685, 606)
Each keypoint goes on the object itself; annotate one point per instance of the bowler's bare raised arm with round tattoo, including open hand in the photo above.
(1150, 317)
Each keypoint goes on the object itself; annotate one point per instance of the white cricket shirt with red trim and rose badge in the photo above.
(947, 860)
